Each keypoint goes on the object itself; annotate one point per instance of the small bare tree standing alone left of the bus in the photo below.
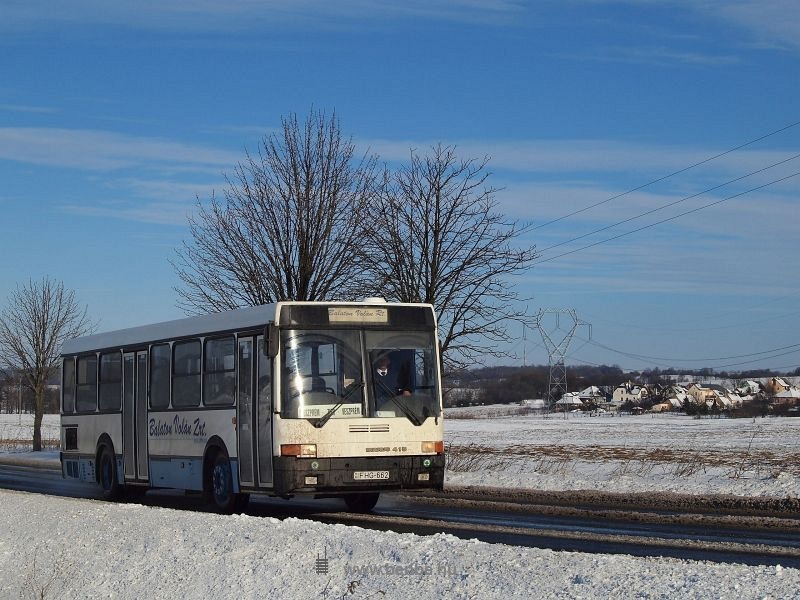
(37, 320)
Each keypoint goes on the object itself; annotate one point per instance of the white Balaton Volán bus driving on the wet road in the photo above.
(312, 398)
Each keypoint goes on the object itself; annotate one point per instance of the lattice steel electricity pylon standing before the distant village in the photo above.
(556, 341)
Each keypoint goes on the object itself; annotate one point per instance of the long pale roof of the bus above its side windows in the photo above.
(250, 317)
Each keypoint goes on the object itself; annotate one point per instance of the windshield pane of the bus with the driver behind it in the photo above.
(403, 375)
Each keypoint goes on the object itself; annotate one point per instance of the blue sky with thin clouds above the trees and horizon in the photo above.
(115, 116)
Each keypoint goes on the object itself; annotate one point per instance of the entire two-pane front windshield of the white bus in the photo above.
(323, 375)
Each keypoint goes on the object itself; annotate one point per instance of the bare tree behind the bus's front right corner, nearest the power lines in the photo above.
(438, 238)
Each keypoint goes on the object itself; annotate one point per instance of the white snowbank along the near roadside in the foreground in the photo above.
(71, 548)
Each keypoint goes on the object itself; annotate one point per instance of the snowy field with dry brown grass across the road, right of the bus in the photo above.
(648, 453)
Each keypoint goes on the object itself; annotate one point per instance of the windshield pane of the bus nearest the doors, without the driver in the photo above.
(322, 374)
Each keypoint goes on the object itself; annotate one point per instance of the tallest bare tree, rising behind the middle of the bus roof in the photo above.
(289, 227)
